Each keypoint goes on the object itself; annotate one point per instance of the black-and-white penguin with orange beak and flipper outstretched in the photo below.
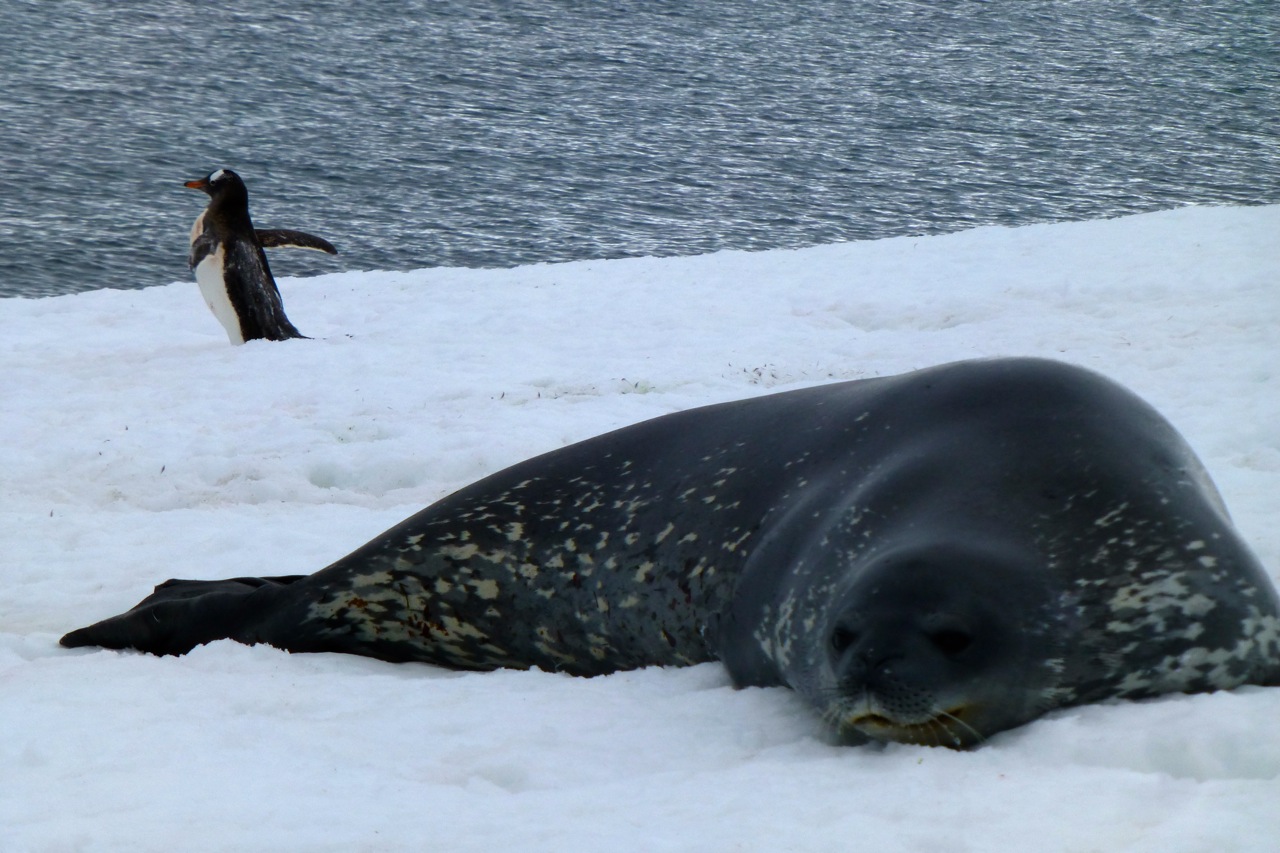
(231, 266)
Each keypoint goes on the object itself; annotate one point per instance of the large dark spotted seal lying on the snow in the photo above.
(930, 559)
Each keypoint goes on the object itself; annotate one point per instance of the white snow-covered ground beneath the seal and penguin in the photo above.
(140, 446)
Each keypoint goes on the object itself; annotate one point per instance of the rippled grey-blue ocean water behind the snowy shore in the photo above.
(495, 134)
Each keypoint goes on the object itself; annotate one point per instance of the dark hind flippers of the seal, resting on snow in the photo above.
(181, 615)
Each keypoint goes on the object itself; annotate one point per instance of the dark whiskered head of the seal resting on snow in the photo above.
(941, 645)
